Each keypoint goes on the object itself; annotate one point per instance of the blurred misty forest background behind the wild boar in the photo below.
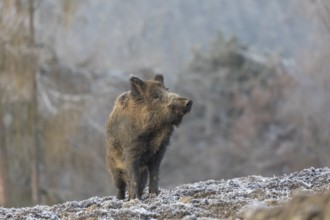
(258, 72)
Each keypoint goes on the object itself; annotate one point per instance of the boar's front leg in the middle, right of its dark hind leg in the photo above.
(132, 165)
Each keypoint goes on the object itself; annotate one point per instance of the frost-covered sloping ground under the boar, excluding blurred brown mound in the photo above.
(236, 198)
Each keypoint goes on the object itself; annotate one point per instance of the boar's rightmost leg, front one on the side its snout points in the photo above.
(154, 171)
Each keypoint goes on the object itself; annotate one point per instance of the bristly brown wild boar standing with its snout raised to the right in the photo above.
(137, 132)
